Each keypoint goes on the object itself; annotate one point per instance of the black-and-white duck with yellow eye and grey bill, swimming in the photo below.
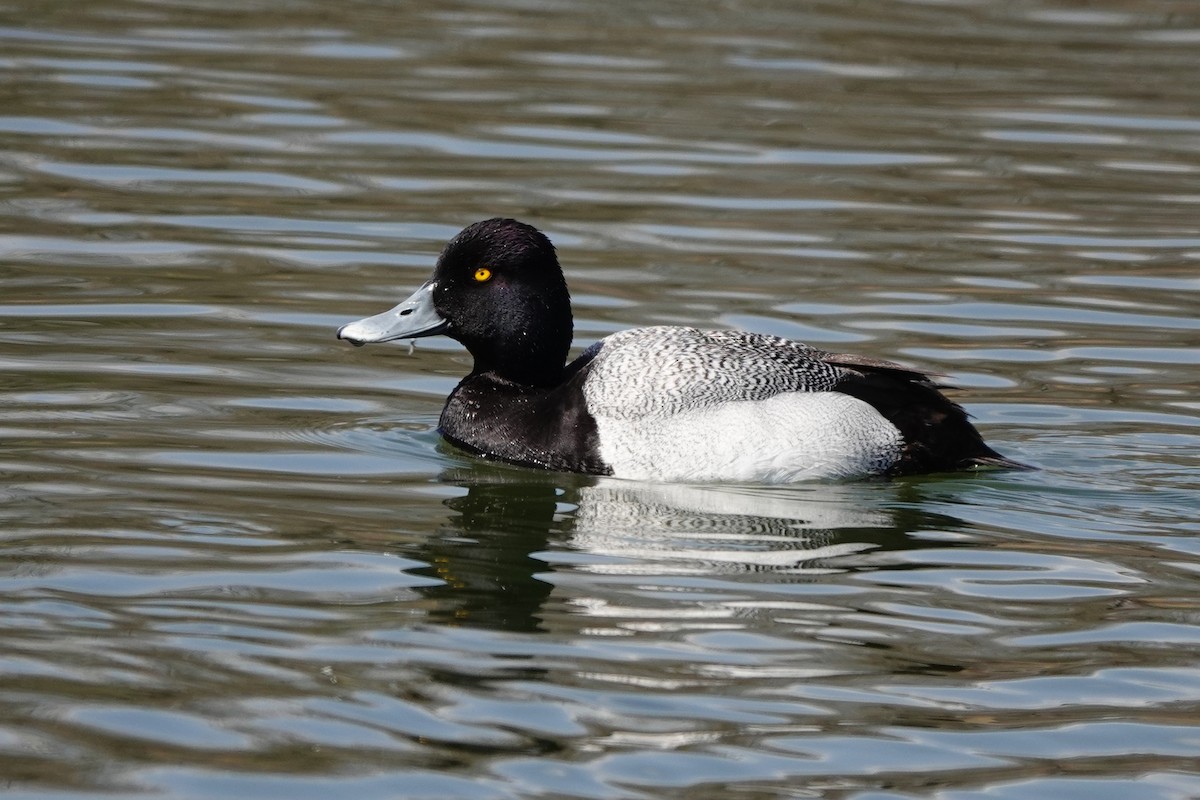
(661, 404)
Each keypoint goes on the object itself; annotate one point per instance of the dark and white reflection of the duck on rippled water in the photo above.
(514, 536)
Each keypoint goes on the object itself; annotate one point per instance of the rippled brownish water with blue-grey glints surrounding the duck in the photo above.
(239, 563)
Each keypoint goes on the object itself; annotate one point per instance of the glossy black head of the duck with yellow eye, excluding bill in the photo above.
(500, 287)
